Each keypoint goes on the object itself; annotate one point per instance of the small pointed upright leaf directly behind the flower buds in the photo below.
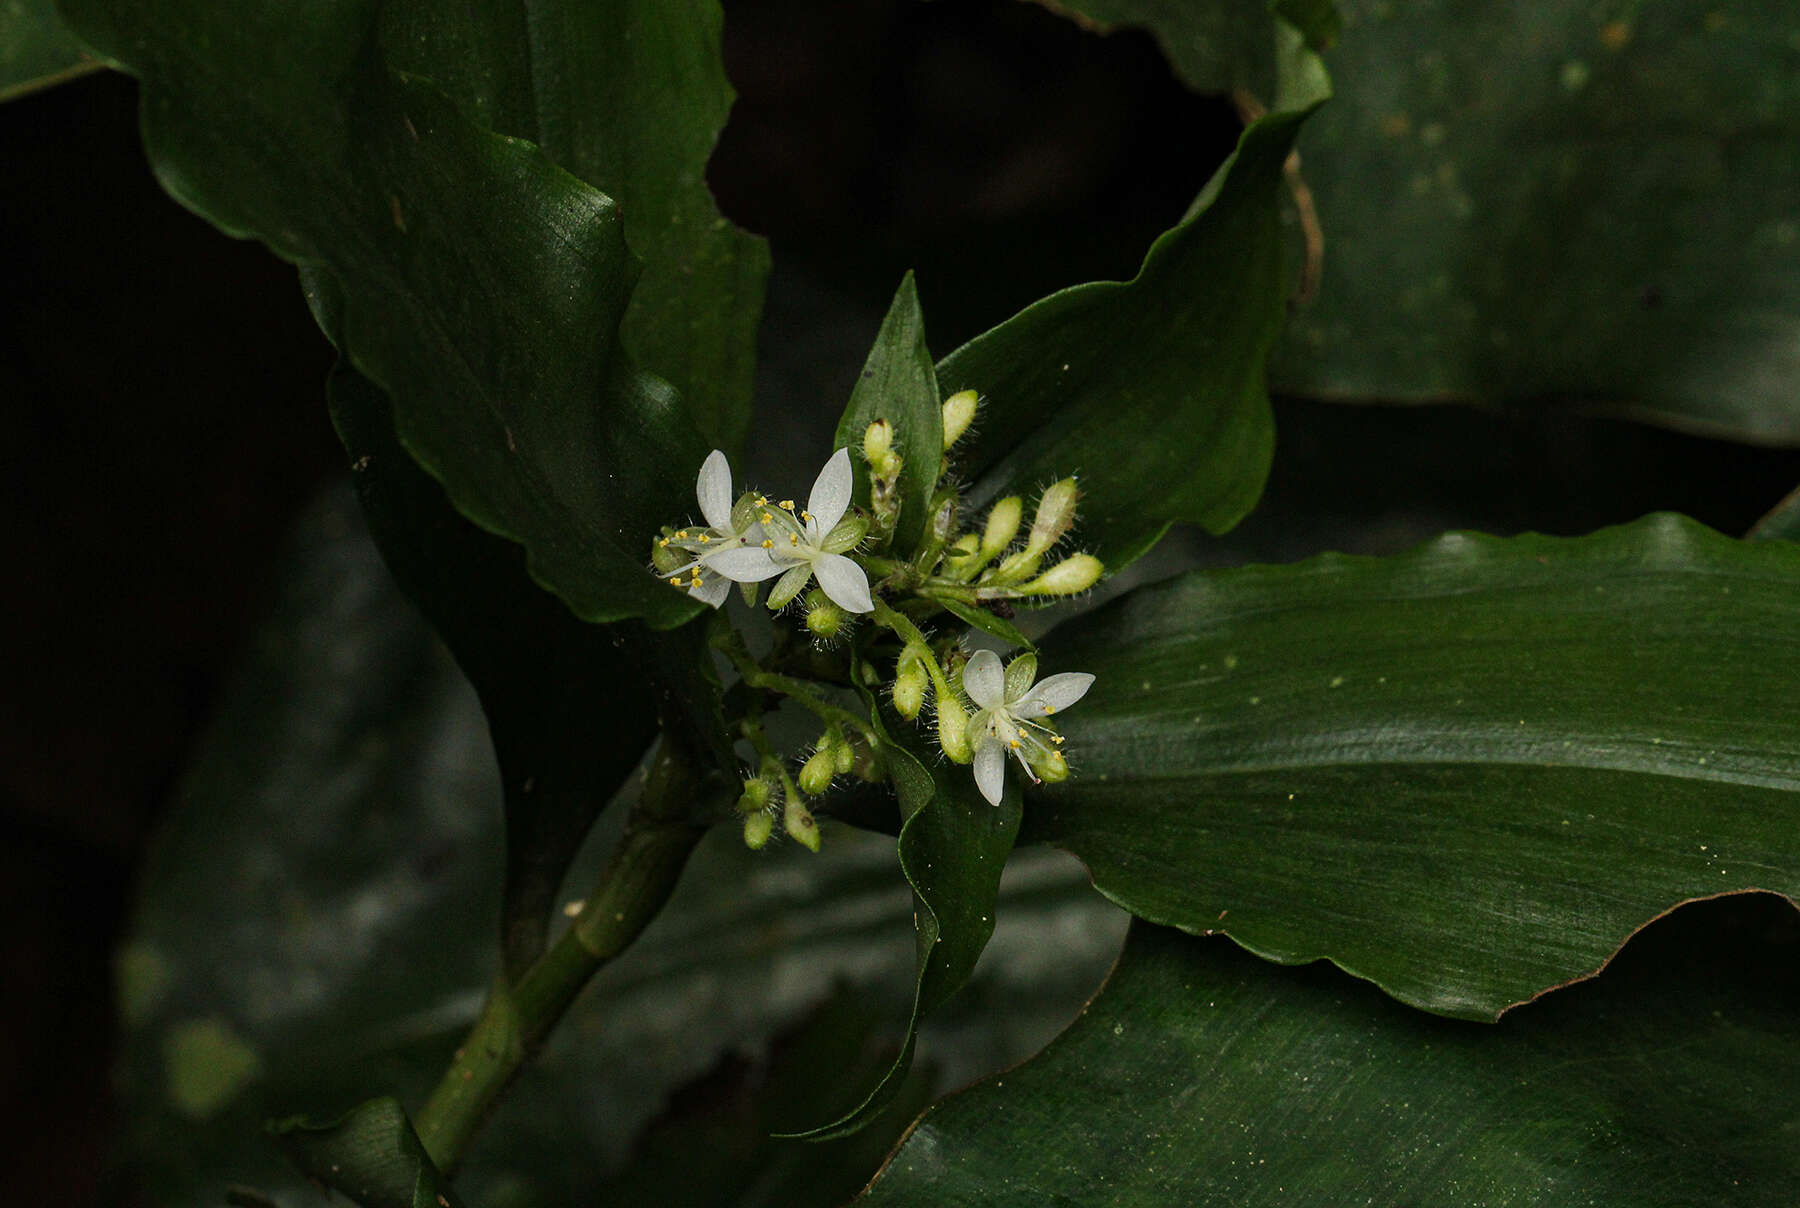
(899, 386)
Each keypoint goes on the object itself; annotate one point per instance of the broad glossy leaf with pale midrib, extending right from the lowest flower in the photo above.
(1468, 773)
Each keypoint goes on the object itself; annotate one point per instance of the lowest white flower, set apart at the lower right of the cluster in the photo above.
(1007, 719)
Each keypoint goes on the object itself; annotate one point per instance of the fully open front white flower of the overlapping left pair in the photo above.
(800, 546)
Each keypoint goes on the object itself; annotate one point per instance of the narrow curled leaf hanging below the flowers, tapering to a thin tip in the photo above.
(953, 849)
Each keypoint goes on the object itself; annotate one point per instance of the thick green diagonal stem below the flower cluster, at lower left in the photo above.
(516, 1022)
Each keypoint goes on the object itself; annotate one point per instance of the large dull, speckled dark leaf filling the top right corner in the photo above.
(1574, 203)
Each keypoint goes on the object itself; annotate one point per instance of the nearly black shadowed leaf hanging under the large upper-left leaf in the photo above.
(570, 705)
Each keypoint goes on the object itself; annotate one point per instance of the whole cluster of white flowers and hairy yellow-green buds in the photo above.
(985, 712)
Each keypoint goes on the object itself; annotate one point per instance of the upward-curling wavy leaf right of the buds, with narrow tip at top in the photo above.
(1151, 392)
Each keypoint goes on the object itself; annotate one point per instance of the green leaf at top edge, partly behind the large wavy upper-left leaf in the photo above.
(631, 100)
